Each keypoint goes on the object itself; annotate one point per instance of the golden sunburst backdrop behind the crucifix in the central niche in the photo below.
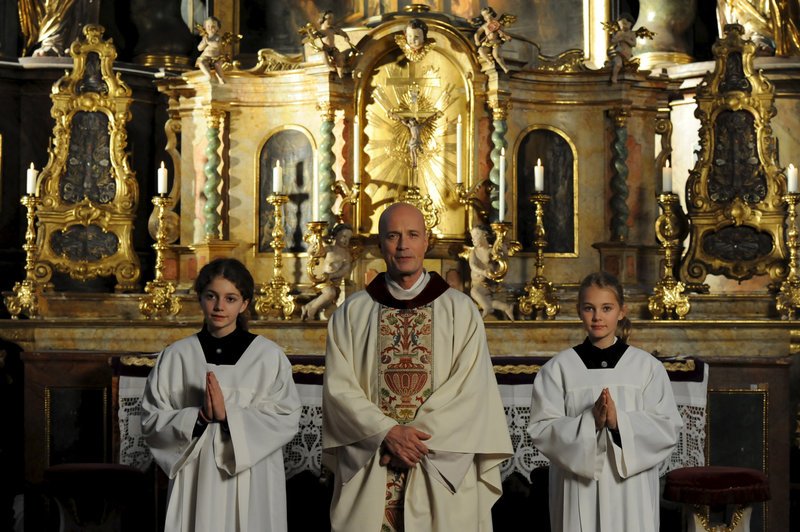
(409, 121)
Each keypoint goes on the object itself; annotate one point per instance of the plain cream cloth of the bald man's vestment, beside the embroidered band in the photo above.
(455, 485)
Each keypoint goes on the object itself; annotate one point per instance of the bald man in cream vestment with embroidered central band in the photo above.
(413, 426)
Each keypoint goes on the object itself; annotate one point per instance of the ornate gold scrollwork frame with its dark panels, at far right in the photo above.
(734, 193)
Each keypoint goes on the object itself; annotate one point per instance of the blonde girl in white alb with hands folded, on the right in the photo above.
(604, 414)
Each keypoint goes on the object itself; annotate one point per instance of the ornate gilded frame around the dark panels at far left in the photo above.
(95, 90)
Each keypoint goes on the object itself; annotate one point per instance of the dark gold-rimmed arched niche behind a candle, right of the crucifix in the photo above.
(559, 156)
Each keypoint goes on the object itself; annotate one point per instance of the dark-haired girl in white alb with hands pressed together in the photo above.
(218, 408)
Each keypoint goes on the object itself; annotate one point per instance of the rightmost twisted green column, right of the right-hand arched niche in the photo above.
(619, 181)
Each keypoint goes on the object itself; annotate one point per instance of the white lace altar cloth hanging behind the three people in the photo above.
(303, 453)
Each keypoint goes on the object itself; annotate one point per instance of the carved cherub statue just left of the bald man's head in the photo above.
(336, 266)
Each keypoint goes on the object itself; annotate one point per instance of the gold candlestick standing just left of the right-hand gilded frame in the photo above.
(669, 295)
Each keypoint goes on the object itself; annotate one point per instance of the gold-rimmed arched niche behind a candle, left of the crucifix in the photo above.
(292, 146)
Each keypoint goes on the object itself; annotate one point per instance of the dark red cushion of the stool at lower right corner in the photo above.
(716, 485)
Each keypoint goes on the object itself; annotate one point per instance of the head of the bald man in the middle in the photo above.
(403, 241)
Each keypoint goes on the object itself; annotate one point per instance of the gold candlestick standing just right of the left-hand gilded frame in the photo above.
(161, 300)
